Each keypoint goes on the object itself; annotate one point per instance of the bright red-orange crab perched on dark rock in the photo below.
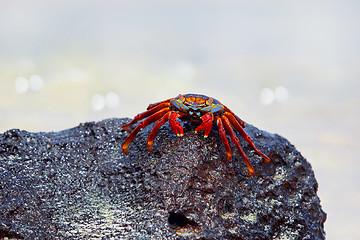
(198, 108)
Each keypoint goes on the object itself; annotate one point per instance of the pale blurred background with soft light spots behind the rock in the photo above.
(287, 67)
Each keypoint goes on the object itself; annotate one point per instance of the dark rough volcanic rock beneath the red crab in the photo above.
(77, 184)
